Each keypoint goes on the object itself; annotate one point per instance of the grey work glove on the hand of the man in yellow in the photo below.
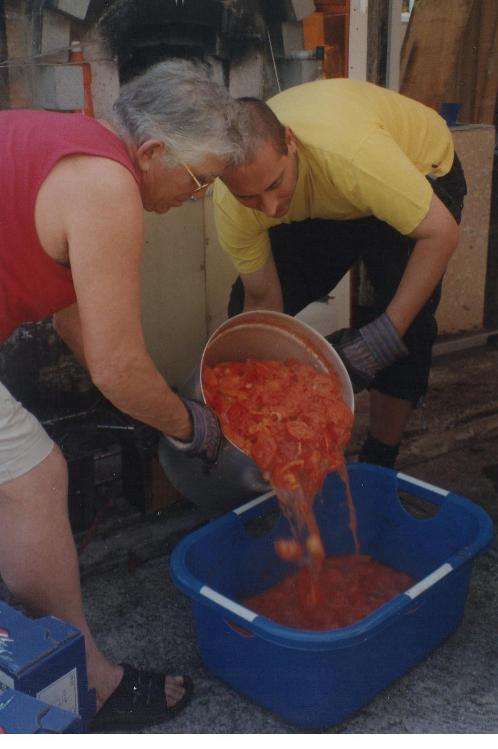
(368, 350)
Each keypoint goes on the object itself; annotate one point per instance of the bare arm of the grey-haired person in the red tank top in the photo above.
(103, 220)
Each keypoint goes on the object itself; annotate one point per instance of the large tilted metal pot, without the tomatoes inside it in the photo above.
(235, 478)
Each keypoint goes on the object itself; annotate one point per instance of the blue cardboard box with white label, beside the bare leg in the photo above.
(45, 658)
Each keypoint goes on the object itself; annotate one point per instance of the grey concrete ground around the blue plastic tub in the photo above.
(138, 615)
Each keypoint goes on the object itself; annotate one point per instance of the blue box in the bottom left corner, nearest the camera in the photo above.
(20, 713)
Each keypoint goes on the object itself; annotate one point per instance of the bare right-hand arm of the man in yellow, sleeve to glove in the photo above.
(437, 238)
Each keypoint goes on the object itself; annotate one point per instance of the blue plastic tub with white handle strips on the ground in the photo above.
(317, 679)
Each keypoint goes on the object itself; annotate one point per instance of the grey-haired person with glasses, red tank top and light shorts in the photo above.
(71, 232)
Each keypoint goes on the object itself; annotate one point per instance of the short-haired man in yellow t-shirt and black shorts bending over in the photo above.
(336, 171)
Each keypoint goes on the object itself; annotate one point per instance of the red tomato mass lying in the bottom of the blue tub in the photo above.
(344, 590)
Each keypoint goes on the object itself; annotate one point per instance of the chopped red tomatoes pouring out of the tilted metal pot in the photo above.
(292, 420)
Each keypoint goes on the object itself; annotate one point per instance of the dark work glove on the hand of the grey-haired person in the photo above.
(207, 435)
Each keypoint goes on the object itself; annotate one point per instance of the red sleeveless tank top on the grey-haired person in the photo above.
(32, 284)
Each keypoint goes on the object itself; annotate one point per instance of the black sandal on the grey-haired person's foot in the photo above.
(138, 701)
